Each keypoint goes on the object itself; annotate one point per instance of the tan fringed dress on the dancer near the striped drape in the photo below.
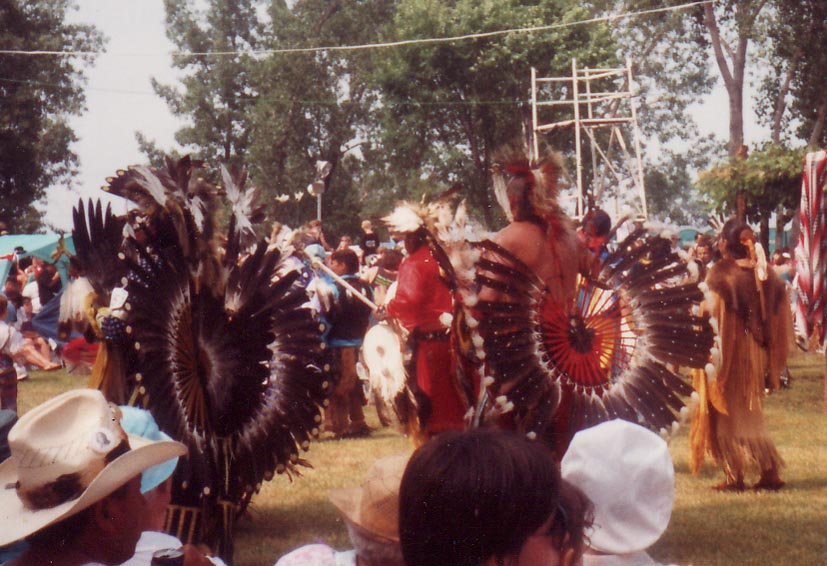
(729, 422)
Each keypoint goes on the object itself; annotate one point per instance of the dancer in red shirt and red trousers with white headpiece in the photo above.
(423, 304)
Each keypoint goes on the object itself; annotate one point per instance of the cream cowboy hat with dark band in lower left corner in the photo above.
(67, 454)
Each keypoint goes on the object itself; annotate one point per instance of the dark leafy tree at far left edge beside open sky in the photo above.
(38, 95)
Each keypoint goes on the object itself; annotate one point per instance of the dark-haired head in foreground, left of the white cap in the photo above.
(488, 497)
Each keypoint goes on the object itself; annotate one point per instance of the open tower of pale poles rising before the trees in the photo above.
(602, 106)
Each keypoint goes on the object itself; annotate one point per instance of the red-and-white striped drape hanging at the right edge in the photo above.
(811, 251)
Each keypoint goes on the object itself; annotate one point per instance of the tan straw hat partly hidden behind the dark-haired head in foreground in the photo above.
(374, 506)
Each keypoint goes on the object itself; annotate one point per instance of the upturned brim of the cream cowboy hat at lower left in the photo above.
(19, 521)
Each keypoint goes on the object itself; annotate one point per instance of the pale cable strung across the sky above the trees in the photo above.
(405, 42)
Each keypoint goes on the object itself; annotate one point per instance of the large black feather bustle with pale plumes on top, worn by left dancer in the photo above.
(219, 344)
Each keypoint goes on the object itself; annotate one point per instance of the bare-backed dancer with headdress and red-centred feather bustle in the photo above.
(569, 339)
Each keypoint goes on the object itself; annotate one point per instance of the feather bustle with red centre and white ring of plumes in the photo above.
(611, 357)
